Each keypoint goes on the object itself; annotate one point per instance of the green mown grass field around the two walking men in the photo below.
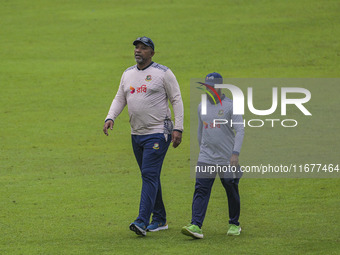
(68, 189)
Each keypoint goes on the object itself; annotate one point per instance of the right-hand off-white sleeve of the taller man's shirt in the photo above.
(175, 98)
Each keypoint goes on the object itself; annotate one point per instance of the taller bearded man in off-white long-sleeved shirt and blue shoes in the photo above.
(146, 89)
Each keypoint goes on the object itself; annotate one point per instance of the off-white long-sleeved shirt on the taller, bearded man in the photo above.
(146, 92)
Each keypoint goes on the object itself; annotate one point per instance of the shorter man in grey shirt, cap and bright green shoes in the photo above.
(219, 145)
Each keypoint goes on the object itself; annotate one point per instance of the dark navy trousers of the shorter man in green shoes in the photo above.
(202, 195)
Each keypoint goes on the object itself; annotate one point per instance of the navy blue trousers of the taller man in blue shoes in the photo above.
(150, 151)
